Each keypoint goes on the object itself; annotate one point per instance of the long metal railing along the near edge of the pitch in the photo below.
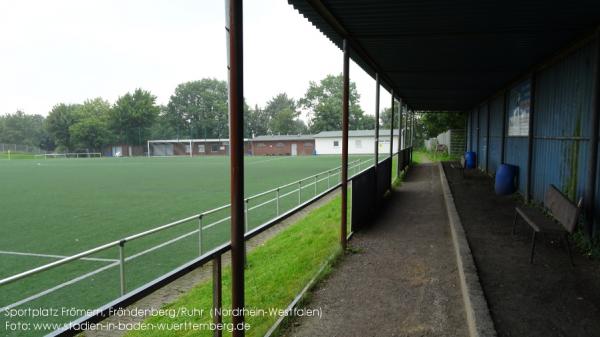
(275, 196)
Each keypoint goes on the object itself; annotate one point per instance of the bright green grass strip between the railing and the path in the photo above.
(277, 271)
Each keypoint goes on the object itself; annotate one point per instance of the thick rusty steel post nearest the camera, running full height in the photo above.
(234, 28)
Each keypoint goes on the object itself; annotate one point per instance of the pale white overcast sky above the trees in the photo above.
(67, 51)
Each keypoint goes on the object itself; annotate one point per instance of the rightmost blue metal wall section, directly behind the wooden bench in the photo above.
(561, 127)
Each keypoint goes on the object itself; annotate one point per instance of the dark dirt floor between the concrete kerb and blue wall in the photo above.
(548, 298)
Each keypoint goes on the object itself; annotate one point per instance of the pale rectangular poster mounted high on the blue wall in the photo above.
(518, 113)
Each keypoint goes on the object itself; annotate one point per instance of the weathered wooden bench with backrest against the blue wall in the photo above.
(561, 221)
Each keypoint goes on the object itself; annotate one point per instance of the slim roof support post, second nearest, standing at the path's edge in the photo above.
(344, 173)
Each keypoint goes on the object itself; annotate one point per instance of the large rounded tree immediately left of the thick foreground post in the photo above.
(198, 109)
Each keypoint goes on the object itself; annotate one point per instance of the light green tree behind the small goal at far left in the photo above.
(91, 131)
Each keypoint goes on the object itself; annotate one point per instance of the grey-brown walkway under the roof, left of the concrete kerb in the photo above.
(403, 278)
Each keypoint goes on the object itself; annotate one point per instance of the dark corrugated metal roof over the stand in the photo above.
(450, 55)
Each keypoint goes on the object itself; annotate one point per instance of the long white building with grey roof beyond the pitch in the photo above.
(359, 142)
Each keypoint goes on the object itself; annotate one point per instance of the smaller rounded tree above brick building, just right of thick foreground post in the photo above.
(283, 116)
